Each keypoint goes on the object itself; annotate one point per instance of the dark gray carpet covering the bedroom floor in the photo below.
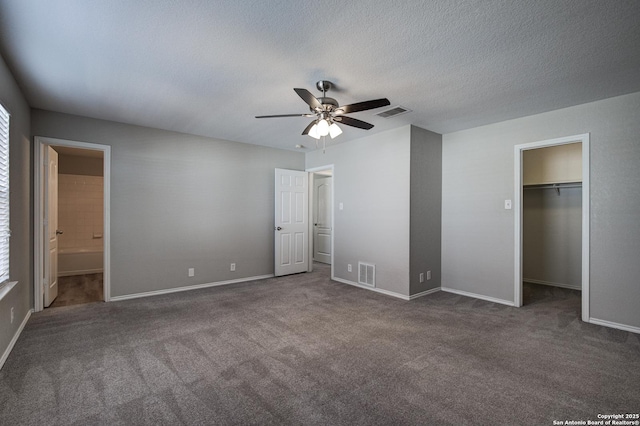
(305, 350)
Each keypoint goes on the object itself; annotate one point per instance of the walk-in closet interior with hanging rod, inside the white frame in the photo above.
(552, 223)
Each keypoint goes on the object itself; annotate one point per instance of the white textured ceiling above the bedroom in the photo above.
(208, 67)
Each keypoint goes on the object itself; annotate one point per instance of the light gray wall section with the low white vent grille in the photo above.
(371, 179)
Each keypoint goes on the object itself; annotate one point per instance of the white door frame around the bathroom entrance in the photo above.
(38, 217)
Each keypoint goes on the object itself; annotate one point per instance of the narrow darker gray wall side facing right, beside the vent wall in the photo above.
(426, 209)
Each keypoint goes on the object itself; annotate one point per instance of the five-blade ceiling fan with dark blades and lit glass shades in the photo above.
(326, 112)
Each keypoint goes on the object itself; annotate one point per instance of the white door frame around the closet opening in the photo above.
(519, 149)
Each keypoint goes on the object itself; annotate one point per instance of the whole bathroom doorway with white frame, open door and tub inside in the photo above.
(72, 232)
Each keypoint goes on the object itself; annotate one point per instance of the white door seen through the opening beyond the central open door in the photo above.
(322, 225)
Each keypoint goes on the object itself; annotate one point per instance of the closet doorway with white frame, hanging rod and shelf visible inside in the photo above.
(552, 217)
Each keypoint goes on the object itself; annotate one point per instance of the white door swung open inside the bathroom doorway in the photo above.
(51, 226)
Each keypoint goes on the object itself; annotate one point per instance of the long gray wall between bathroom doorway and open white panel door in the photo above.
(180, 201)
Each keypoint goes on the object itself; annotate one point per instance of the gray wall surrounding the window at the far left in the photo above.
(21, 266)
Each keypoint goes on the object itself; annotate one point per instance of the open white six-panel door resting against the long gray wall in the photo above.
(291, 222)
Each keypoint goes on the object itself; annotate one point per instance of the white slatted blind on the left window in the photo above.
(5, 232)
